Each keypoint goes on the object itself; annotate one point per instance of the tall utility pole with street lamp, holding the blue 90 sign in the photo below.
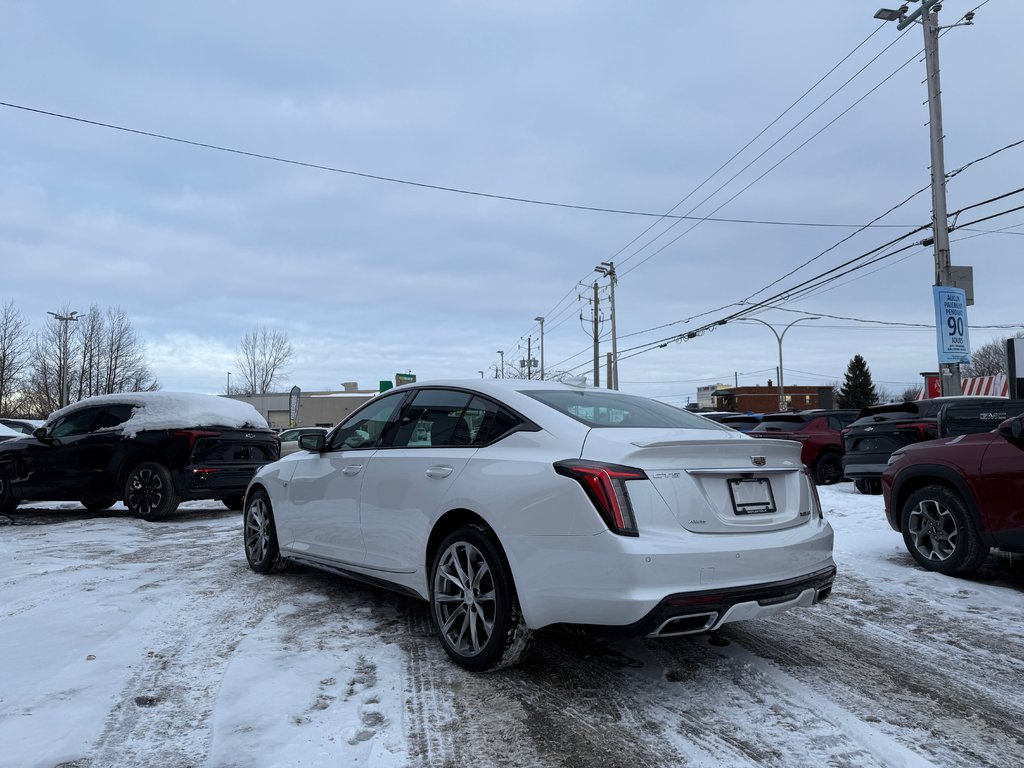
(950, 378)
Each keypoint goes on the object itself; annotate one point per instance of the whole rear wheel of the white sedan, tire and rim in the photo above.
(471, 587)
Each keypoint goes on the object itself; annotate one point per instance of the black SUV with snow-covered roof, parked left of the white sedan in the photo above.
(150, 450)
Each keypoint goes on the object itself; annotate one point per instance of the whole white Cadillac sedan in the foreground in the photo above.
(515, 505)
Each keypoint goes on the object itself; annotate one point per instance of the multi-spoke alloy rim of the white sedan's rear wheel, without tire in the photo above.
(464, 599)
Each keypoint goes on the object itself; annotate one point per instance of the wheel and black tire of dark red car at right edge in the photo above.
(940, 532)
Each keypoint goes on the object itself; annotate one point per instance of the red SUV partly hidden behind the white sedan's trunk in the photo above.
(820, 433)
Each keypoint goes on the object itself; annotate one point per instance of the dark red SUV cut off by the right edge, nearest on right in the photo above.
(956, 498)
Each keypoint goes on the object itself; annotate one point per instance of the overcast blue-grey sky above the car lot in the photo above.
(616, 106)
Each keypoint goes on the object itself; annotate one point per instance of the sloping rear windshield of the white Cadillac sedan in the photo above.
(604, 408)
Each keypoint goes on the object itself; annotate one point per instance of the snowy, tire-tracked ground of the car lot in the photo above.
(127, 644)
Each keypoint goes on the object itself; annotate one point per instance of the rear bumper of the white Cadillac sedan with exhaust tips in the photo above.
(635, 586)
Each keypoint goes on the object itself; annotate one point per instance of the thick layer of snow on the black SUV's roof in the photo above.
(174, 411)
